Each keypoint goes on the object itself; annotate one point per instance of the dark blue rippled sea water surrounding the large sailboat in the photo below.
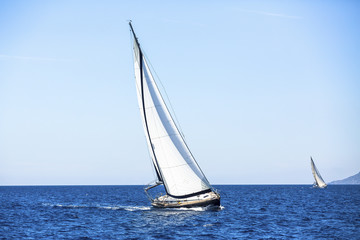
(123, 212)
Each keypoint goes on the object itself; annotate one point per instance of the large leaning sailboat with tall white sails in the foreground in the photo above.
(176, 168)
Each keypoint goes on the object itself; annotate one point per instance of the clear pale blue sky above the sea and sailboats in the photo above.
(257, 87)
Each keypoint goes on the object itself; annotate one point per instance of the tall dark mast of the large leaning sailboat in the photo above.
(157, 168)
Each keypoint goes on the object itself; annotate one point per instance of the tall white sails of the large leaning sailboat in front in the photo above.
(174, 164)
